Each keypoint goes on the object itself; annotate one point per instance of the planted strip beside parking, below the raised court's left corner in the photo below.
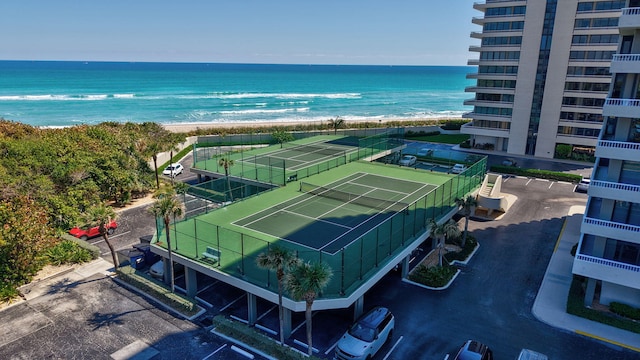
(159, 291)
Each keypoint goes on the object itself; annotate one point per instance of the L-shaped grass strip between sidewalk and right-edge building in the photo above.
(575, 306)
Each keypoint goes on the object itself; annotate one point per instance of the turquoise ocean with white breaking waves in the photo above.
(64, 93)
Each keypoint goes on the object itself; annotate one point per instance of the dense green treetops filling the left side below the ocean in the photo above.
(49, 177)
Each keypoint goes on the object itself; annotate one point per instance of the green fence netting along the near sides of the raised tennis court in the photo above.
(352, 264)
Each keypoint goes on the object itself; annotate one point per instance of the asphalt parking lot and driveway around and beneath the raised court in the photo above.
(490, 301)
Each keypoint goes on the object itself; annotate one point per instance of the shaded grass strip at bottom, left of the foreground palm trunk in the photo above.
(250, 336)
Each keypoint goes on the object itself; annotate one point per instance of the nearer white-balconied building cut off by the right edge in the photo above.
(608, 254)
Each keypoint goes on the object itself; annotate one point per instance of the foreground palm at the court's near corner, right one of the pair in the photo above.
(305, 282)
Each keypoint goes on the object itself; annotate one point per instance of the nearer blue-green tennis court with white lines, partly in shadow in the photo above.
(330, 217)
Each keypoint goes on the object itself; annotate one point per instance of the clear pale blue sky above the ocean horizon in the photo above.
(391, 32)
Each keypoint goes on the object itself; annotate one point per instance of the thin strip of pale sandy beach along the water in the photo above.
(190, 127)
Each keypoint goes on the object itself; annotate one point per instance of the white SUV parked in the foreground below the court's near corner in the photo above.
(366, 336)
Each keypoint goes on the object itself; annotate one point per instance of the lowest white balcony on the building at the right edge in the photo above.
(607, 270)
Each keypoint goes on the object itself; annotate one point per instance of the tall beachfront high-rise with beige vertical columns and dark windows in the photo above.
(543, 75)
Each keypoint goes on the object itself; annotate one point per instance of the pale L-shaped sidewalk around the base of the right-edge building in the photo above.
(550, 304)
